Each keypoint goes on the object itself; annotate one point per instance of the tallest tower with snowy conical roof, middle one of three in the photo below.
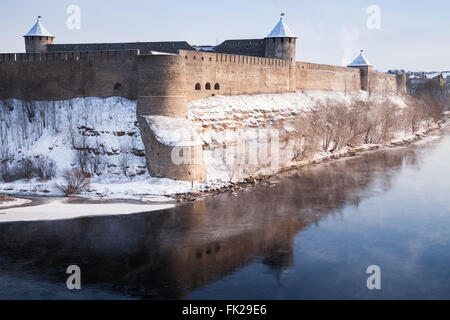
(281, 43)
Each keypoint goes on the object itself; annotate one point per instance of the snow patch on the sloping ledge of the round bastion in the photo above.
(173, 132)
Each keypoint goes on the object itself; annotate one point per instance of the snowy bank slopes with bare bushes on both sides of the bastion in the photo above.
(304, 128)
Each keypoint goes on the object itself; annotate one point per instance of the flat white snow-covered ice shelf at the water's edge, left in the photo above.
(61, 210)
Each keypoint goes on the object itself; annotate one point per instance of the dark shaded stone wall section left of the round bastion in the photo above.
(63, 76)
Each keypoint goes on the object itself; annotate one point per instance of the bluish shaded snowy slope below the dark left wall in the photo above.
(102, 132)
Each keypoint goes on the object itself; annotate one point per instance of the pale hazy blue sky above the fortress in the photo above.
(414, 35)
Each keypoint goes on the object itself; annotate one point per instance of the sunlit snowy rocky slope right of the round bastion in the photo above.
(241, 126)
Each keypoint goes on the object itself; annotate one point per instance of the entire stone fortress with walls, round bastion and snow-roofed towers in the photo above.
(164, 76)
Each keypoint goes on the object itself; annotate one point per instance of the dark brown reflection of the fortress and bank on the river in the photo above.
(171, 253)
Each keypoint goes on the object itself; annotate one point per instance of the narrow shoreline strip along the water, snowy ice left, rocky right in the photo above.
(62, 208)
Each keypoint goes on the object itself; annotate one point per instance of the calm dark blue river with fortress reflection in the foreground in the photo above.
(309, 234)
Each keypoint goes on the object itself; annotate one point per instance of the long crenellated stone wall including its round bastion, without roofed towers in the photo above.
(163, 84)
